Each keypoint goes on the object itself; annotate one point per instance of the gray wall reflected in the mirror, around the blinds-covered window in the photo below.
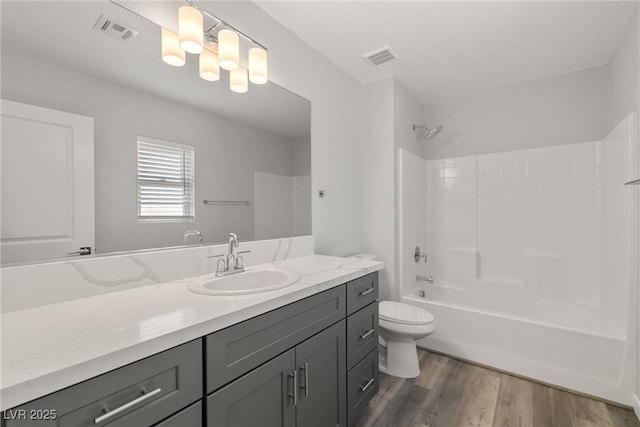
(226, 153)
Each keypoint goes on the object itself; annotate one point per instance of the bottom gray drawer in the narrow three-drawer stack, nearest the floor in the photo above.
(362, 385)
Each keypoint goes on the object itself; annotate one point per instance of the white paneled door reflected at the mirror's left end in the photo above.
(47, 183)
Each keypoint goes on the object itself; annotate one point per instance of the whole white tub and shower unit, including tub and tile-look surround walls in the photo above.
(539, 248)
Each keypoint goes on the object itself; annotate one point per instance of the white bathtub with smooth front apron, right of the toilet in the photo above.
(594, 358)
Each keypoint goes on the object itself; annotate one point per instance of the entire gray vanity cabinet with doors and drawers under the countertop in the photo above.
(312, 362)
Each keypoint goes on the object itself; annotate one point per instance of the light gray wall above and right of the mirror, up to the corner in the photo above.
(337, 117)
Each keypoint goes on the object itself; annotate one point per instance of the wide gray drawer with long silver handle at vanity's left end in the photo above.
(138, 394)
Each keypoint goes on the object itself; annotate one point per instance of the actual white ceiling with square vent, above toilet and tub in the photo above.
(452, 49)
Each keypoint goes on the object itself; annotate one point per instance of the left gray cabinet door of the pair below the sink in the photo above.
(263, 397)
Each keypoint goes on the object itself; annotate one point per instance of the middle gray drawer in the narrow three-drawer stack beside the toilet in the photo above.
(362, 333)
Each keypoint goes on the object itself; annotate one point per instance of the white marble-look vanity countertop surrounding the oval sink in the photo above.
(47, 348)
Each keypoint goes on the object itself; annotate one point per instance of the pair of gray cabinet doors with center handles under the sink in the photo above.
(305, 386)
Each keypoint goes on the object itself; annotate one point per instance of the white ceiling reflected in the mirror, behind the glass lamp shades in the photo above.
(61, 32)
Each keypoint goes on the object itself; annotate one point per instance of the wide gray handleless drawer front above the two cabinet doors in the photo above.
(237, 349)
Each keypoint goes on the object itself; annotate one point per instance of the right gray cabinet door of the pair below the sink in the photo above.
(321, 366)
